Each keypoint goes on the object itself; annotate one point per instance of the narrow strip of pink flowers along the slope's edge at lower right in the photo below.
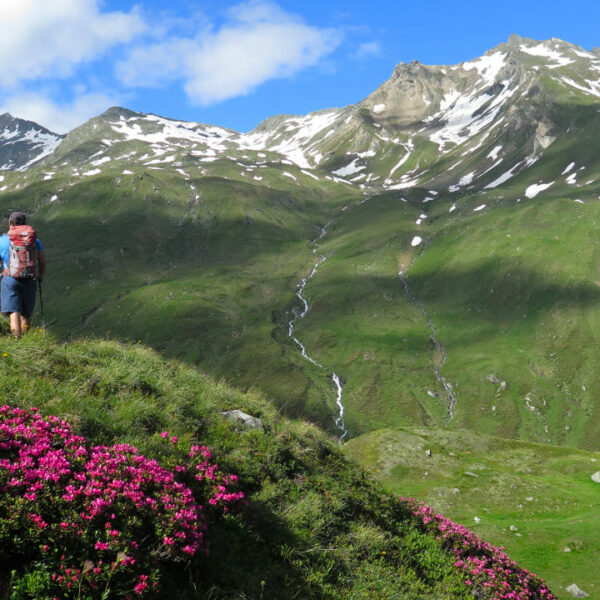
(486, 566)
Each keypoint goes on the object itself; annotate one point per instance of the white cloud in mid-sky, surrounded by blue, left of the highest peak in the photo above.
(259, 42)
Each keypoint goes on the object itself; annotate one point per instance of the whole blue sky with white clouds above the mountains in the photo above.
(236, 63)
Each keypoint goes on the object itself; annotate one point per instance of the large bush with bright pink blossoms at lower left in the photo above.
(102, 521)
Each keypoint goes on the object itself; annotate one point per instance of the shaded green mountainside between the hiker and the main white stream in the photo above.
(204, 270)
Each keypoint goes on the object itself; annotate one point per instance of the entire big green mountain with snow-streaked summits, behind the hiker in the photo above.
(194, 238)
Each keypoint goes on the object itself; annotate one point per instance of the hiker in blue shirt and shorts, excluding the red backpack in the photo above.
(17, 295)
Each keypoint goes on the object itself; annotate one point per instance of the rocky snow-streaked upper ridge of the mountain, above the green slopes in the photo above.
(385, 141)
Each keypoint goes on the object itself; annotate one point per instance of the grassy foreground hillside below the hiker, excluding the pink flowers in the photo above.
(316, 526)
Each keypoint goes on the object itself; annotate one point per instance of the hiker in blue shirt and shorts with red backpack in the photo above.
(24, 264)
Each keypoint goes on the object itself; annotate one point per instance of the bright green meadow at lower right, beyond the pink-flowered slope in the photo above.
(537, 500)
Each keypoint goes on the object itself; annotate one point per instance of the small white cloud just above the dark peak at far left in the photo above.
(58, 117)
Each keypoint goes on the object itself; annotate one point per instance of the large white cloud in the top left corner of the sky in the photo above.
(46, 38)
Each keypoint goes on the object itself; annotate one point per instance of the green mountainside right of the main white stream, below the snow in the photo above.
(512, 293)
